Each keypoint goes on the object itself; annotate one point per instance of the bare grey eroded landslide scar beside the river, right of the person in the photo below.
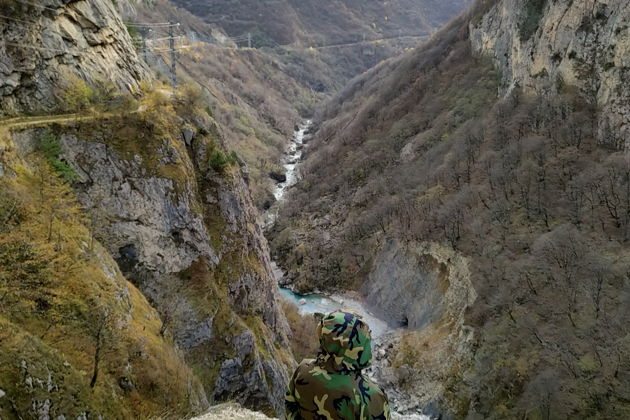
(428, 286)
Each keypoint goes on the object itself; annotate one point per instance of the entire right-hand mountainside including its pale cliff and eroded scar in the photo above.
(477, 190)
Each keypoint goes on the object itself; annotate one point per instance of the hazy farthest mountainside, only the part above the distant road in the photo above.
(330, 21)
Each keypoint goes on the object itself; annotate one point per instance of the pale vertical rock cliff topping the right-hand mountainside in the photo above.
(579, 43)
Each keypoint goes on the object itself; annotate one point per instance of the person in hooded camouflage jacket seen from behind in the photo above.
(333, 387)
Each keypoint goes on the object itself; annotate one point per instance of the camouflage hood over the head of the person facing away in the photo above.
(345, 341)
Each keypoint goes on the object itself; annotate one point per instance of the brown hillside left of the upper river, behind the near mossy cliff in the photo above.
(254, 101)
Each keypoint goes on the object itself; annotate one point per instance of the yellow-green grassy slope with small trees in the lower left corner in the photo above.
(77, 339)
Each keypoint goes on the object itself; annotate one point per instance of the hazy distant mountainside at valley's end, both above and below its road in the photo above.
(299, 25)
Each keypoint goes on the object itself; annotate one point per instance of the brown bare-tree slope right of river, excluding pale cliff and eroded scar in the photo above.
(421, 149)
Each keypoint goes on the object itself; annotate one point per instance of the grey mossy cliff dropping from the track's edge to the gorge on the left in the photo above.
(188, 238)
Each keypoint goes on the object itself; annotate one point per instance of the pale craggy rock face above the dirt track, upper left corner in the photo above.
(43, 45)
